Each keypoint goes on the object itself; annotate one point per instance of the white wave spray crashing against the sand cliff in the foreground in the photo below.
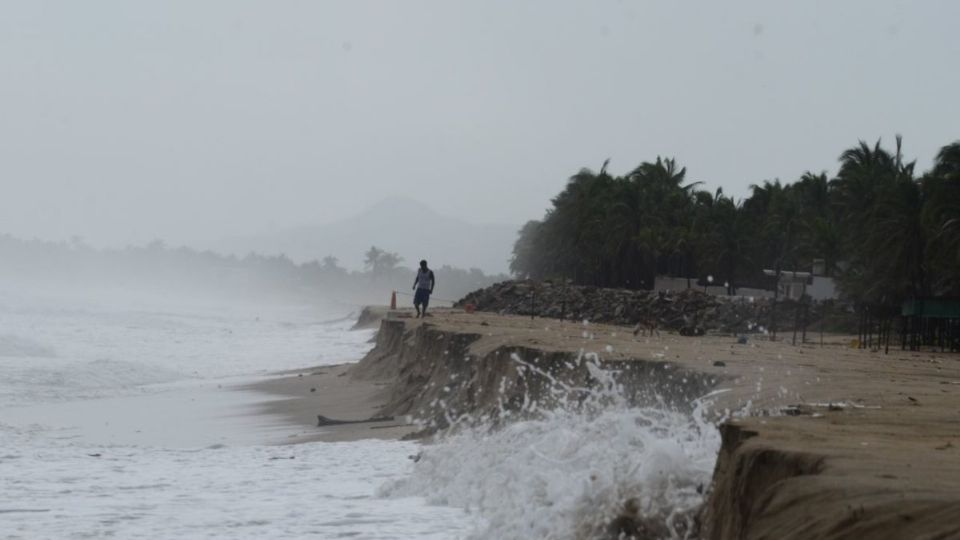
(590, 466)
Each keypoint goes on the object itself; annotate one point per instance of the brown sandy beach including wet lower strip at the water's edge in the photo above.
(820, 441)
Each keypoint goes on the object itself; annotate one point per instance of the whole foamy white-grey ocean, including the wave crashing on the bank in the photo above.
(122, 418)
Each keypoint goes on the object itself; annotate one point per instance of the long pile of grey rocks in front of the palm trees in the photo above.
(686, 311)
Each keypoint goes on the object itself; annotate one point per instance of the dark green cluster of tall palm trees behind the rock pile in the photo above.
(884, 231)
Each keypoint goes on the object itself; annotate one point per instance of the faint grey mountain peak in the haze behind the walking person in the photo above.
(408, 227)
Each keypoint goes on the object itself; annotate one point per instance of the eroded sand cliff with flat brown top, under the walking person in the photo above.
(835, 443)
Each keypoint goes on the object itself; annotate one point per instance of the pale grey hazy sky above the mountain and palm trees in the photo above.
(126, 121)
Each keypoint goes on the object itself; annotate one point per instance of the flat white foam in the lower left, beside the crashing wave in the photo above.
(57, 488)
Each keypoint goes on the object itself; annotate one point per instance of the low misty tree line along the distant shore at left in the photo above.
(181, 270)
